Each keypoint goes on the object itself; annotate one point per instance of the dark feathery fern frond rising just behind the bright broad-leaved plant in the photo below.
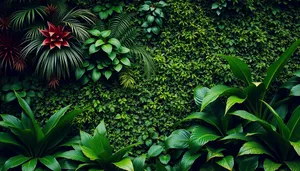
(120, 24)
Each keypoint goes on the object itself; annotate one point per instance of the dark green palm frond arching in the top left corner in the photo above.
(27, 16)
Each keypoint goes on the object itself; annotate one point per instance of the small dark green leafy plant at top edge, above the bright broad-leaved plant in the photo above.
(108, 8)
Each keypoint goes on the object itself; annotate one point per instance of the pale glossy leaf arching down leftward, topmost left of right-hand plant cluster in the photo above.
(215, 92)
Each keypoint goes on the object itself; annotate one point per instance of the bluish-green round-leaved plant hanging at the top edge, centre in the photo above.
(154, 15)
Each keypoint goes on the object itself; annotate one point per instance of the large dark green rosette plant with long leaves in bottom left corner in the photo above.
(30, 144)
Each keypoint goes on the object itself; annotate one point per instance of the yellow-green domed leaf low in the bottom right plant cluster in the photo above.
(253, 148)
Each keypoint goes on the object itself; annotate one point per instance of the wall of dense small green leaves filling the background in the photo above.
(185, 56)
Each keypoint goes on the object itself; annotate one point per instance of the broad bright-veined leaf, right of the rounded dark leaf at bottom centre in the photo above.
(200, 136)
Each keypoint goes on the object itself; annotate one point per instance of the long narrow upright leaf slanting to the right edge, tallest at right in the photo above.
(276, 67)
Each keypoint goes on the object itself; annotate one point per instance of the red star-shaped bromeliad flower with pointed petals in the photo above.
(55, 36)
